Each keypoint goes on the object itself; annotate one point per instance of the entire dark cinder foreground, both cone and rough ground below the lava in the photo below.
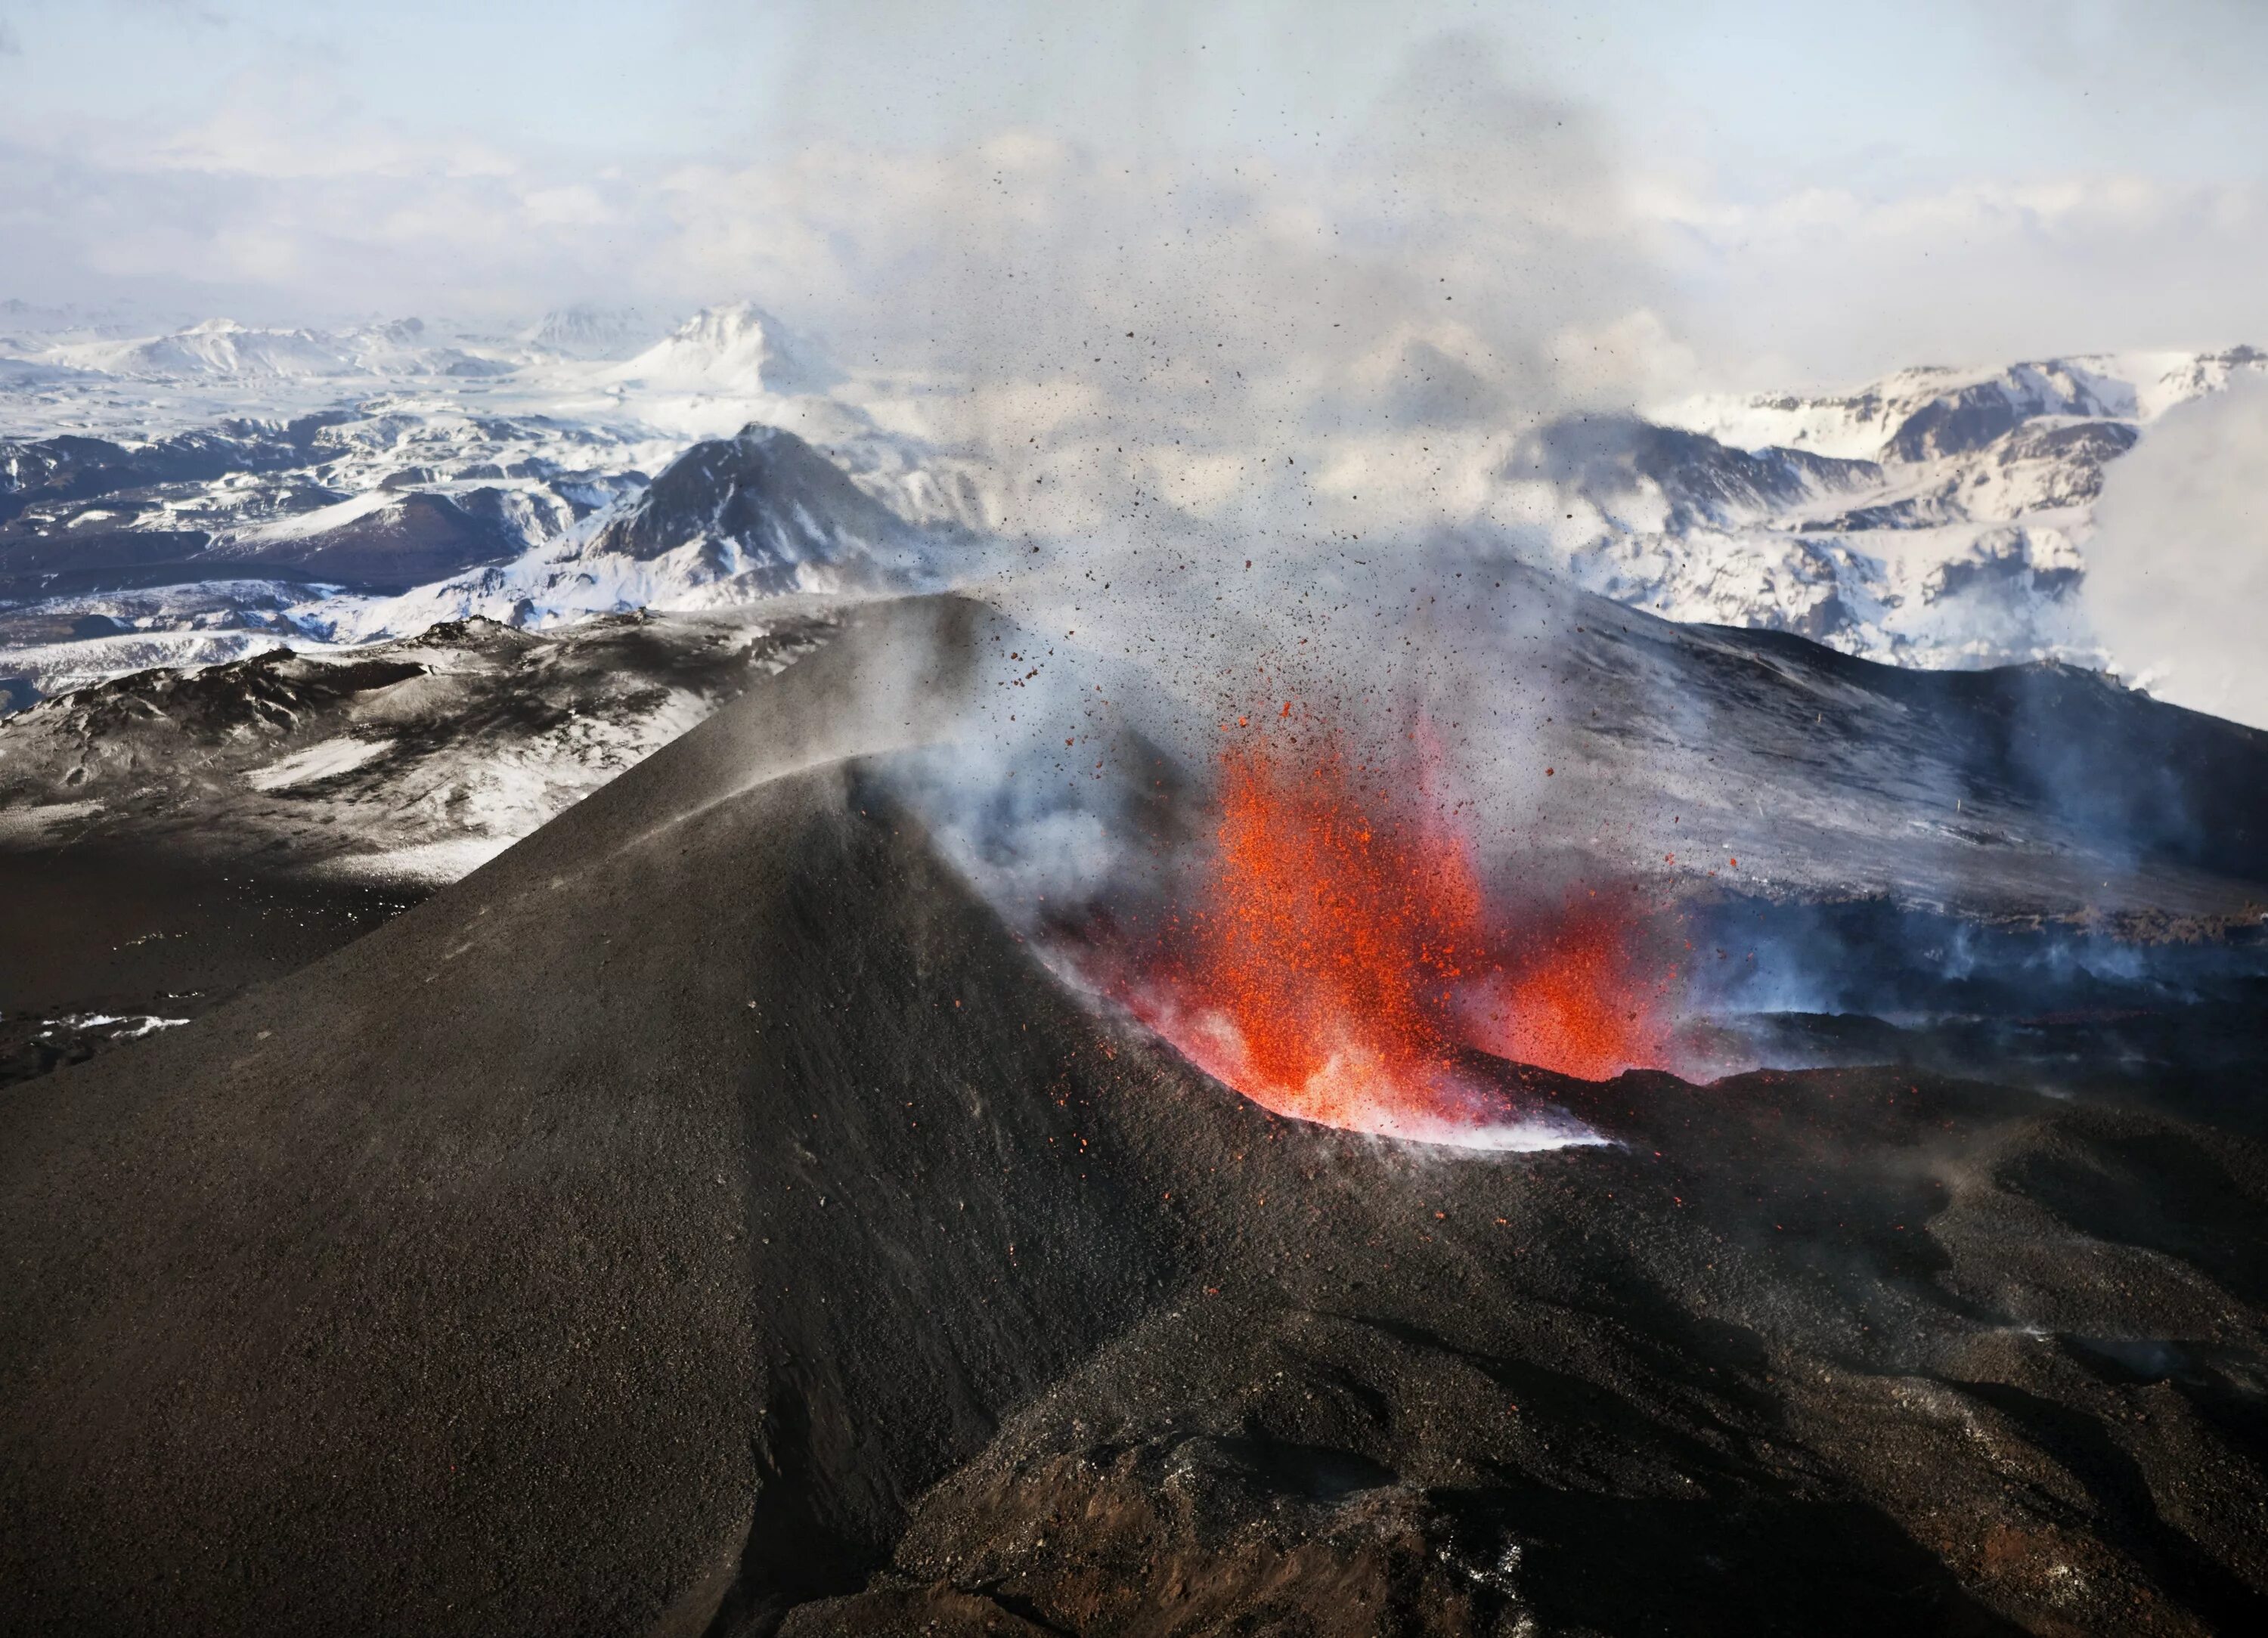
(711, 1217)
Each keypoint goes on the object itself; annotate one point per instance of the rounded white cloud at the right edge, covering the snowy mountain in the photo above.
(2178, 566)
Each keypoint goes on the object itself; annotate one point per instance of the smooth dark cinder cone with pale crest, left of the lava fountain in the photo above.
(489, 1326)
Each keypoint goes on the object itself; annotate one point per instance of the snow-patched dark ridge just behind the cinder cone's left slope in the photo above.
(403, 761)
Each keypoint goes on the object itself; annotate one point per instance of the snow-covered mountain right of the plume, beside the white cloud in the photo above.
(1933, 518)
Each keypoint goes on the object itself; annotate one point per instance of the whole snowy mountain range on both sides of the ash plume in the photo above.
(341, 487)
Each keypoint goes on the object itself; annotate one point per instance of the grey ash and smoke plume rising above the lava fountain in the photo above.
(1246, 421)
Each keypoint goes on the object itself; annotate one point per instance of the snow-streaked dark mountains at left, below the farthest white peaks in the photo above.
(344, 530)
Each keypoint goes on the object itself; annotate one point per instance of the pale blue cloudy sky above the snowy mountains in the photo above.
(1704, 196)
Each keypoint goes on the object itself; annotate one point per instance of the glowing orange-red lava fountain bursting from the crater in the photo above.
(1342, 961)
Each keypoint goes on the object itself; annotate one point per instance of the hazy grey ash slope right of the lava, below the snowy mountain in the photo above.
(2036, 791)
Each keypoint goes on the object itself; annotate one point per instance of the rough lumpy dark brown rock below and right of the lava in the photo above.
(1786, 1362)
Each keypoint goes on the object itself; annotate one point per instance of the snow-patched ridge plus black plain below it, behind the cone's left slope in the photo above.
(174, 836)
